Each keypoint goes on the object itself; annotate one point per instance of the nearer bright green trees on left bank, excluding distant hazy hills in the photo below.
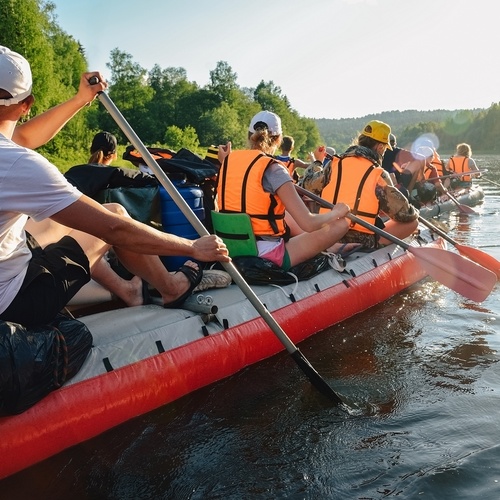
(162, 105)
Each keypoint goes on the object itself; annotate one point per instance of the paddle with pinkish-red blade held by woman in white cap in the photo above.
(452, 270)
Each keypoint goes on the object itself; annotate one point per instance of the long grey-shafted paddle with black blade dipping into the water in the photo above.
(298, 357)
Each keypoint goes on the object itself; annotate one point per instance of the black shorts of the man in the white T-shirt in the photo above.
(54, 276)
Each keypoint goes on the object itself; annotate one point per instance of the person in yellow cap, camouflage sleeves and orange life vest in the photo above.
(357, 179)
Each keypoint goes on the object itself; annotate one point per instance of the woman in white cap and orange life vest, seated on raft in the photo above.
(253, 181)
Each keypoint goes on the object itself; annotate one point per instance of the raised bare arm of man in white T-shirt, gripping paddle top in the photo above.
(42, 128)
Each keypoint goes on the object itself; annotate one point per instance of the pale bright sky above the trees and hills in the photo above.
(331, 58)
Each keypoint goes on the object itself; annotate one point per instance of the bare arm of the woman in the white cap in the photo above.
(306, 220)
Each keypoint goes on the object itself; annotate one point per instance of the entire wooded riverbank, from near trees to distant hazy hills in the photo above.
(167, 110)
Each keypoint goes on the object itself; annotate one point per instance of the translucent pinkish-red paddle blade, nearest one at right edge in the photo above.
(457, 273)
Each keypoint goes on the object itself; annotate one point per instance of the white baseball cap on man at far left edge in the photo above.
(15, 76)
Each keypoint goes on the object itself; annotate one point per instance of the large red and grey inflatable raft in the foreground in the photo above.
(147, 356)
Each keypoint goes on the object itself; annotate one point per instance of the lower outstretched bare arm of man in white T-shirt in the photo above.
(90, 217)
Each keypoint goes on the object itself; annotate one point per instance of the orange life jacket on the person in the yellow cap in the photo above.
(353, 180)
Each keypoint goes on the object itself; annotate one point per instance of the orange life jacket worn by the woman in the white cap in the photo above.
(240, 189)
